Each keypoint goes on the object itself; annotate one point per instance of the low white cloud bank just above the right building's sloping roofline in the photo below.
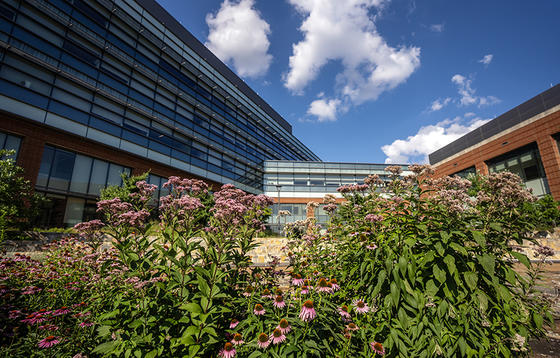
(429, 139)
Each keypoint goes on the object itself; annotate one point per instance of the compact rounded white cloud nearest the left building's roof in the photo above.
(239, 34)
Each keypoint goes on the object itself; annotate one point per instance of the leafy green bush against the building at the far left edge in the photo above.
(19, 205)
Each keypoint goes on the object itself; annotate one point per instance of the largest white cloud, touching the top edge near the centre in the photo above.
(344, 31)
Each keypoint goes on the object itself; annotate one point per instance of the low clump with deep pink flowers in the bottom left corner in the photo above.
(46, 306)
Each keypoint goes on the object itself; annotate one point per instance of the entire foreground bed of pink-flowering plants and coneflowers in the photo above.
(414, 267)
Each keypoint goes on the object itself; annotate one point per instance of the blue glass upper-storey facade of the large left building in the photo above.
(159, 78)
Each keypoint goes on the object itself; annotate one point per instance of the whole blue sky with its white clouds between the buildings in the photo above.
(382, 80)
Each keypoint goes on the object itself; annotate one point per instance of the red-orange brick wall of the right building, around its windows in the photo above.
(538, 131)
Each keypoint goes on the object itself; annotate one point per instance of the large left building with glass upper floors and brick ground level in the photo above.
(94, 88)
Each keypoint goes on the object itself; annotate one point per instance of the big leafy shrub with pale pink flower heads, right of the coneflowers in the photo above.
(436, 261)
